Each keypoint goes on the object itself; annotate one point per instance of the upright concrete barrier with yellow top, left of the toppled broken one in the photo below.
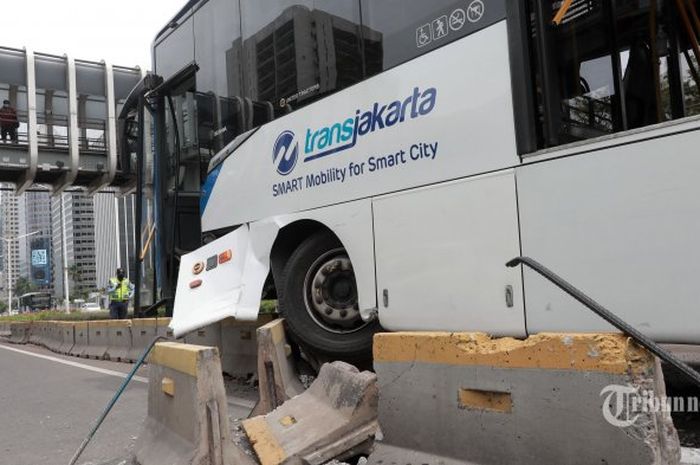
(187, 421)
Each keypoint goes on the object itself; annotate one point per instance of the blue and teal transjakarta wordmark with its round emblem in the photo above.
(344, 135)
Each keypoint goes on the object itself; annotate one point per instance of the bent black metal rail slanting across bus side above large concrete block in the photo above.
(608, 316)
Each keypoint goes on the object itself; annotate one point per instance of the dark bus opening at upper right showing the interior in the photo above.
(606, 66)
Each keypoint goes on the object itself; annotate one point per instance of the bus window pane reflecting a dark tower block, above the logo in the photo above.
(296, 52)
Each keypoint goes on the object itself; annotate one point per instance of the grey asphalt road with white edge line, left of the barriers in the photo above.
(48, 405)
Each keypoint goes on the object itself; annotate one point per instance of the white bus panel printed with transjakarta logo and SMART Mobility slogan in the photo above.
(467, 130)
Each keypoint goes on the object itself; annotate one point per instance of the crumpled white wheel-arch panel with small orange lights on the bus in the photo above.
(234, 288)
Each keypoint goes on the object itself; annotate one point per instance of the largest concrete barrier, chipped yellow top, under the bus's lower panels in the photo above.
(469, 399)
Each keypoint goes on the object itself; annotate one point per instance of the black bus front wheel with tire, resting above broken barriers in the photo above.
(318, 299)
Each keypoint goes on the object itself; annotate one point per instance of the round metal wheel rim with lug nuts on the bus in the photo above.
(330, 293)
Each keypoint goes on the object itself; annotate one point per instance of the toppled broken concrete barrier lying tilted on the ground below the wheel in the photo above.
(336, 418)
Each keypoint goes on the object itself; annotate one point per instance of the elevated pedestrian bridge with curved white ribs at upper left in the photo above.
(68, 134)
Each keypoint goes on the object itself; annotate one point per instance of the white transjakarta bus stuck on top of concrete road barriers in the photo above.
(379, 161)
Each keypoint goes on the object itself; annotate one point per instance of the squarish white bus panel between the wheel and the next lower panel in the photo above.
(441, 254)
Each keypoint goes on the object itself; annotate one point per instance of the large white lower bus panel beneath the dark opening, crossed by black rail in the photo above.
(623, 225)
